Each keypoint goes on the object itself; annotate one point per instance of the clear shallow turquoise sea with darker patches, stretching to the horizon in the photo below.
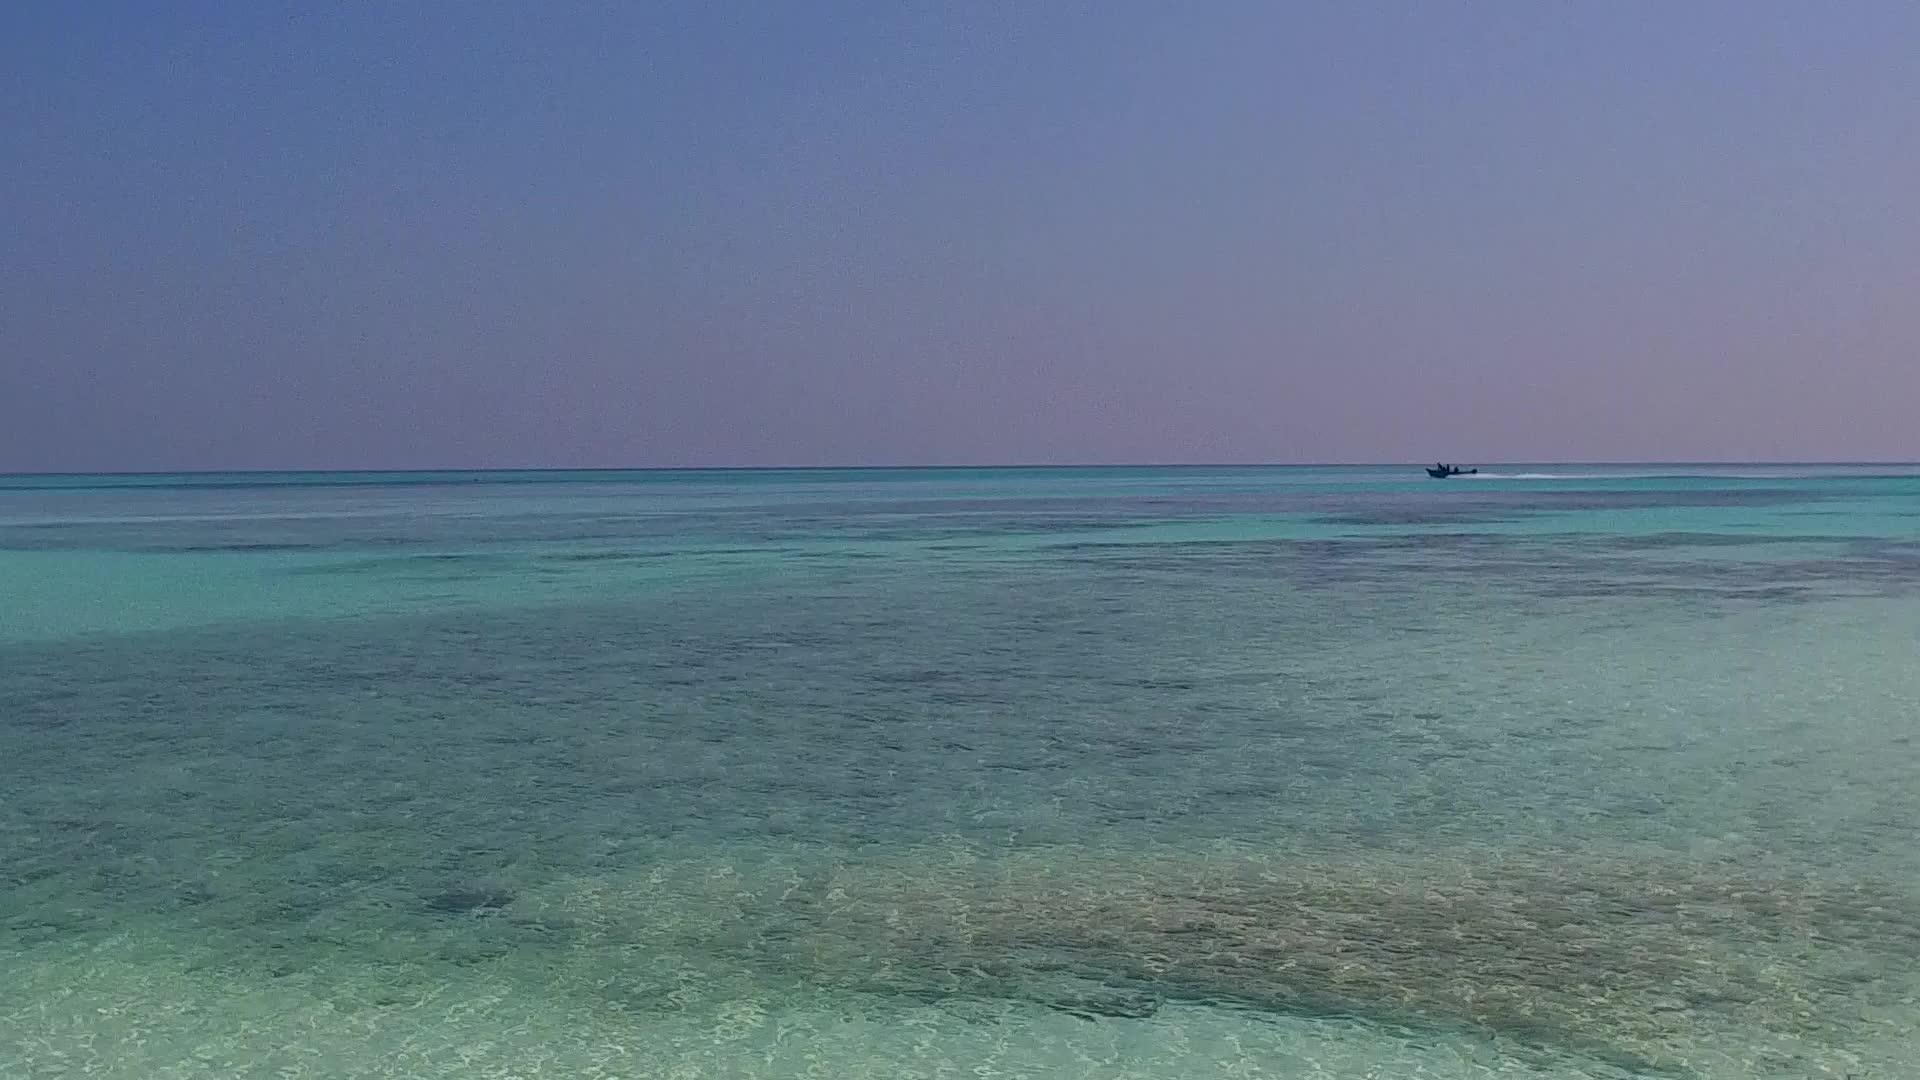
(963, 773)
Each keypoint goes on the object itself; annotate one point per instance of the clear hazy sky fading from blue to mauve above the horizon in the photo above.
(650, 235)
